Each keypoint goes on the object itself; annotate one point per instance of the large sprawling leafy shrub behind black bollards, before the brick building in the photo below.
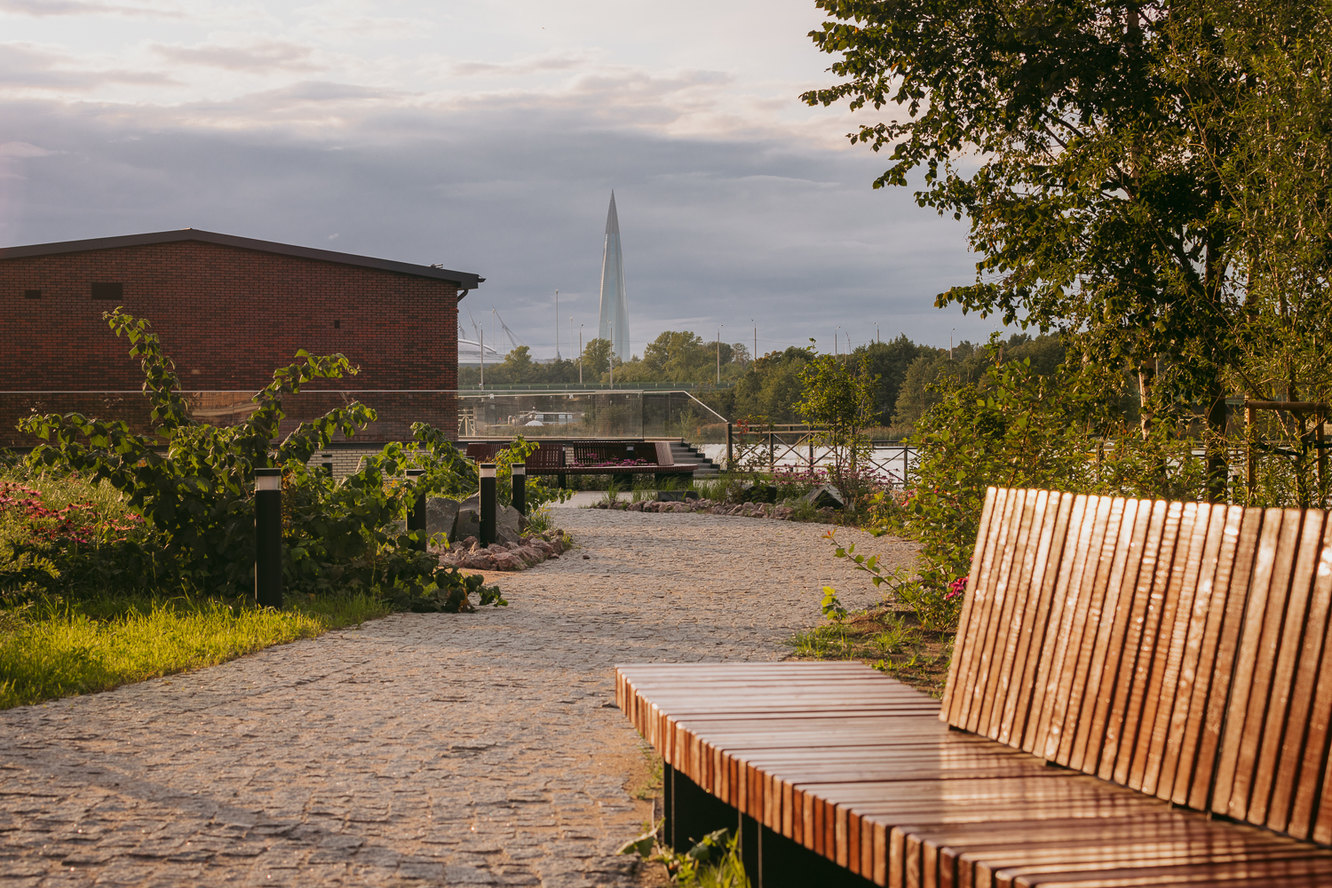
(194, 485)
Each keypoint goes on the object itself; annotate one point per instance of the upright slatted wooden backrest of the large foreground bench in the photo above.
(1177, 649)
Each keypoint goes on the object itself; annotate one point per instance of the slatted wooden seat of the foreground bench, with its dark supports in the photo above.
(858, 770)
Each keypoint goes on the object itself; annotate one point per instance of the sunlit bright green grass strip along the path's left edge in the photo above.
(50, 650)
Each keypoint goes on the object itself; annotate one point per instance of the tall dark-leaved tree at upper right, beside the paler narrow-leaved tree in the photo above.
(1072, 136)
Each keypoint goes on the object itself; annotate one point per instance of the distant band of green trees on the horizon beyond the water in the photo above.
(744, 389)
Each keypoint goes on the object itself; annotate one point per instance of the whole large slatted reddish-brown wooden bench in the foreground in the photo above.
(1136, 698)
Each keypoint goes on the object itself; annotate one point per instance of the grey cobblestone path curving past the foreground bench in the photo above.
(418, 750)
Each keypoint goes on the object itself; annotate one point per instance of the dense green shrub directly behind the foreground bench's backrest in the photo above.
(1020, 429)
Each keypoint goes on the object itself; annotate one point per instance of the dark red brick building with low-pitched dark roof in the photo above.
(228, 311)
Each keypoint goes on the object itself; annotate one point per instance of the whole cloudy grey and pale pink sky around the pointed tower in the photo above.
(487, 136)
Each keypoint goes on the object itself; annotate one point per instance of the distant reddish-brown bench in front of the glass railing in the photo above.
(621, 460)
